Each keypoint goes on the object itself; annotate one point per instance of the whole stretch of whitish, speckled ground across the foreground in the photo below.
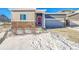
(43, 41)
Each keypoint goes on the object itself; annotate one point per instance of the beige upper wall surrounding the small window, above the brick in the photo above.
(30, 16)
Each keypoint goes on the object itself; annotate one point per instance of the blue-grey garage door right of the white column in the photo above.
(54, 23)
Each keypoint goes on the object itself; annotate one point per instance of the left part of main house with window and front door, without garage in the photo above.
(26, 18)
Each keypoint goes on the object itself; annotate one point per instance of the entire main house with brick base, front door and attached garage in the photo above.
(29, 18)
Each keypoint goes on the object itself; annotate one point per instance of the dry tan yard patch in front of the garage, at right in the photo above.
(72, 35)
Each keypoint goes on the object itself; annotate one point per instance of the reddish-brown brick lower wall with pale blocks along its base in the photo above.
(26, 27)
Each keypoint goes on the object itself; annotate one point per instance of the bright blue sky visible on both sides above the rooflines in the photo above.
(6, 11)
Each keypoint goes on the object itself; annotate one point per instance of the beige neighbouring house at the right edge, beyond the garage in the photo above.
(72, 18)
